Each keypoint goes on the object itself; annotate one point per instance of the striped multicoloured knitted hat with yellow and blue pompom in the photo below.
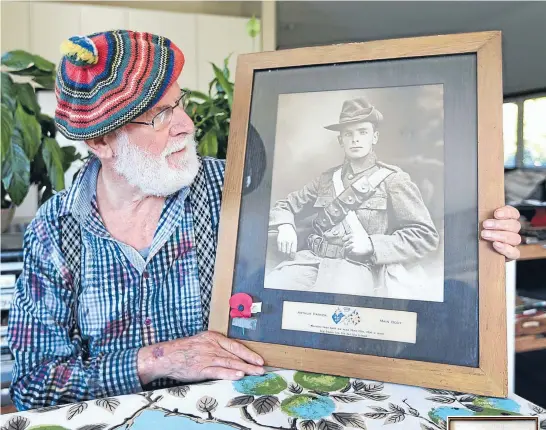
(107, 79)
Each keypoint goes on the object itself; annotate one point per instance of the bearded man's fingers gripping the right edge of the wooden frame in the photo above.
(503, 232)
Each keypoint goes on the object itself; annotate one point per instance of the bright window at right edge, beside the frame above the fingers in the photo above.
(524, 130)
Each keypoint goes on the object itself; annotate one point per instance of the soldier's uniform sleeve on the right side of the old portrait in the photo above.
(414, 234)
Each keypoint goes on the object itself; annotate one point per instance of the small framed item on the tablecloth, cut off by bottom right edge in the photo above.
(492, 423)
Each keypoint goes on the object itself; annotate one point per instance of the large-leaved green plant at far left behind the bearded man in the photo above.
(30, 154)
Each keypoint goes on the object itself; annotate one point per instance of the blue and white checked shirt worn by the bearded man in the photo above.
(125, 301)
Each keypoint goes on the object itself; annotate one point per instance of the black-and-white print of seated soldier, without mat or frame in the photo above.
(357, 200)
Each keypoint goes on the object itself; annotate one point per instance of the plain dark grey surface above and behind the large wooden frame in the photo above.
(523, 25)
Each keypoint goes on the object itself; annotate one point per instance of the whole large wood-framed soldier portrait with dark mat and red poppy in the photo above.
(357, 179)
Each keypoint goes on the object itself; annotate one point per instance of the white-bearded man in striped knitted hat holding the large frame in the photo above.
(115, 291)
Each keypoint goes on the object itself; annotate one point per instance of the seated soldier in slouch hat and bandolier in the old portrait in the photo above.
(370, 226)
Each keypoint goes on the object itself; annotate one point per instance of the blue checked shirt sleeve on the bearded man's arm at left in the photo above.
(50, 366)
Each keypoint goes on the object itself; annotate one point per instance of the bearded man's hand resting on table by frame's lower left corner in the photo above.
(207, 355)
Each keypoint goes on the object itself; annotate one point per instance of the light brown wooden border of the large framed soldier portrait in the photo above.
(489, 375)
